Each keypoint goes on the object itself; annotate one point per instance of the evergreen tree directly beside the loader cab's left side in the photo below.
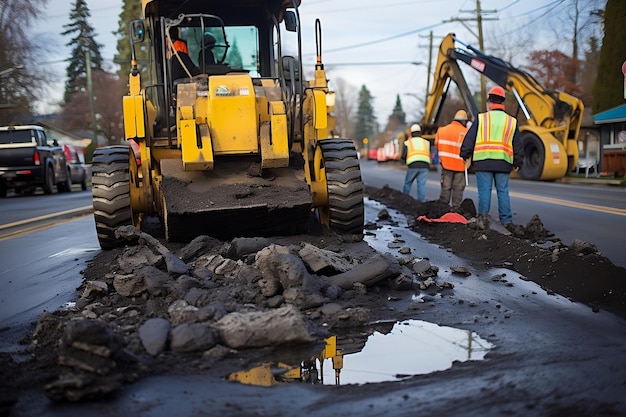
(131, 10)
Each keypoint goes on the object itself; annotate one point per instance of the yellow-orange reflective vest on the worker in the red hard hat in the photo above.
(494, 138)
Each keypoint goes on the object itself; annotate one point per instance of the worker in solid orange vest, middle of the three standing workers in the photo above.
(448, 141)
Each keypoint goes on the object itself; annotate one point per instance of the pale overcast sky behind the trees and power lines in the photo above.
(358, 32)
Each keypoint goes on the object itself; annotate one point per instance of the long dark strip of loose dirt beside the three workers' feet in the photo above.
(577, 271)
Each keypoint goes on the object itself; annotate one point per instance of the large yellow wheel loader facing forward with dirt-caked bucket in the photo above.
(228, 137)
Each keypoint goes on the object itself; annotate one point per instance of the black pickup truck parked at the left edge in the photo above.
(28, 161)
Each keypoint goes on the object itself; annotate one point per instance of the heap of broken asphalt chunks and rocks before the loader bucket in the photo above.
(148, 309)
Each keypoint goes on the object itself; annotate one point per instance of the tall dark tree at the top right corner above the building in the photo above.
(608, 89)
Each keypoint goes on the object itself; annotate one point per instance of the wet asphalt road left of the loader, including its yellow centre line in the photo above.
(45, 243)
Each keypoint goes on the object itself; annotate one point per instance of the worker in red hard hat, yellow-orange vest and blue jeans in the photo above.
(495, 145)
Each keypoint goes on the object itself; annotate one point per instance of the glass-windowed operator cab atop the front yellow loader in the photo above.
(242, 38)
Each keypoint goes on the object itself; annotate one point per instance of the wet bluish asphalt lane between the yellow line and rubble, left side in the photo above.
(40, 272)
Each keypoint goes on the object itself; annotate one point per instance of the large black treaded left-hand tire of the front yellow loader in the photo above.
(111, 193)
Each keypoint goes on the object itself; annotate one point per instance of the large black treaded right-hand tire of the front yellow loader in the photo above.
(344, 185)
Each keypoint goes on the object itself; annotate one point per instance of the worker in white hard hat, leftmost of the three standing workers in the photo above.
(416, 154)
